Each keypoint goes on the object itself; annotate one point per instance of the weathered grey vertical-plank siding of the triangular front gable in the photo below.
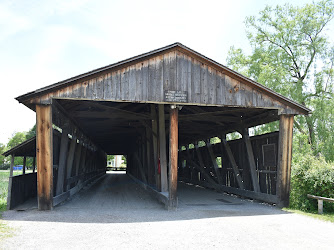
(147, 81)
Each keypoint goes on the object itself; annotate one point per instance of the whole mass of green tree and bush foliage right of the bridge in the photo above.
(292, 55)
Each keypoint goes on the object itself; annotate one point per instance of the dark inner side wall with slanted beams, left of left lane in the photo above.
(77, 160)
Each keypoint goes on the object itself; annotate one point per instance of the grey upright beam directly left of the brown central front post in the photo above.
(162, 149)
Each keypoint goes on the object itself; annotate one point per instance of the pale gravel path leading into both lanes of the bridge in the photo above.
(117, 214)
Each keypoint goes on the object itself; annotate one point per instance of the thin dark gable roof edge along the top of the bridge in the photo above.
(176, 46)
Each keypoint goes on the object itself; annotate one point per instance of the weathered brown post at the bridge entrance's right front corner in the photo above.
(284, 159)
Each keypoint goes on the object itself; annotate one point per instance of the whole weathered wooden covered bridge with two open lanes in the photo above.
(161, 110)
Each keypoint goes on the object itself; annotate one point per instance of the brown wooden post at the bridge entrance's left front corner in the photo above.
(44, 157)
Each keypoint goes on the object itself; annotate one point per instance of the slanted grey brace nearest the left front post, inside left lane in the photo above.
(62, 161)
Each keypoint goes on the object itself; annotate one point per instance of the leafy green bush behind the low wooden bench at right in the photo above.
(311, 175)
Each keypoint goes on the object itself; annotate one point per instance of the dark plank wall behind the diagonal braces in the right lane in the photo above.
(266, 174)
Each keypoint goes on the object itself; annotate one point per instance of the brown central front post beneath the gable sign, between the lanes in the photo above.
(173, 154)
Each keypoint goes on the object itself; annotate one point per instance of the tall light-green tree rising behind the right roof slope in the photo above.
(292, 55)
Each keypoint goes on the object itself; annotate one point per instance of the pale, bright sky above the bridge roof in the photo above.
(44, 42)
